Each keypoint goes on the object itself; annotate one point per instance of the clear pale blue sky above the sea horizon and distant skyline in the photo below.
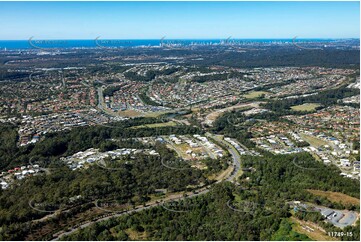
(178, 20)
